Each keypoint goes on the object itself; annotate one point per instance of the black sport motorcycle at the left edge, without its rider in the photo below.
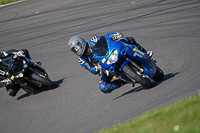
(25, 72)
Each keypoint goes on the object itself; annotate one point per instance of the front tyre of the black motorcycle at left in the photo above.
(44, 81)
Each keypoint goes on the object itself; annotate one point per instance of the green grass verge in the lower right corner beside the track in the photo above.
(181, 117)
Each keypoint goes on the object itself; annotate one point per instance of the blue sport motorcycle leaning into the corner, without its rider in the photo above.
(126, 62)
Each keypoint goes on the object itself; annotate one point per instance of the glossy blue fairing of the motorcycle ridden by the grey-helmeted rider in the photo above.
(125, 50)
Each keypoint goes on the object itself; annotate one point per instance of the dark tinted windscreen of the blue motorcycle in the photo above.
(101, 47)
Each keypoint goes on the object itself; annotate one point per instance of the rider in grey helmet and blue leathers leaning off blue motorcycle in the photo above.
(83, 49)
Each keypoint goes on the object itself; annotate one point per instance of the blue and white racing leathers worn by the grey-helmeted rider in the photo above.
(107, 83)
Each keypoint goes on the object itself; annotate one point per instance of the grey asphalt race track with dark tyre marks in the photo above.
(170, 28)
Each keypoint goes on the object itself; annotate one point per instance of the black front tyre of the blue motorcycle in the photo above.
(131, 73)
